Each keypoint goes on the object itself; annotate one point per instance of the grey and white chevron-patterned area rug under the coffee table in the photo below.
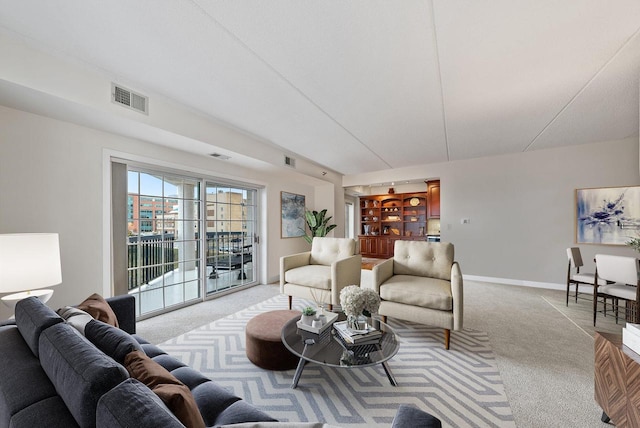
(462, 386)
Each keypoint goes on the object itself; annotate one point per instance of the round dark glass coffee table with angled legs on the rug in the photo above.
(328, 348)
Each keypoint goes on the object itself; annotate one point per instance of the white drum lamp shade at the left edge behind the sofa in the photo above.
(29, 261)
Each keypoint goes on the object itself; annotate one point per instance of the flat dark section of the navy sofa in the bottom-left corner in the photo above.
(23, 382)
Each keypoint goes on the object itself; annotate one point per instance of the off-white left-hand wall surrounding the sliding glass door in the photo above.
(52, 178)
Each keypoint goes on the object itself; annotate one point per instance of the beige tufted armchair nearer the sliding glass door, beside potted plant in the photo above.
(321, 273)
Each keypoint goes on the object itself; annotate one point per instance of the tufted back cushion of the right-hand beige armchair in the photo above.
(420, 258)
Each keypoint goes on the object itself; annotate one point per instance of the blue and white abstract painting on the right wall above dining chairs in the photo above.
(607, 215)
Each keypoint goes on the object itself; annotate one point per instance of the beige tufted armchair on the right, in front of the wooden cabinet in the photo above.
(421, 283)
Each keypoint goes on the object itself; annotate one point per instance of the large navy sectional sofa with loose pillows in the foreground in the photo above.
(51, 375)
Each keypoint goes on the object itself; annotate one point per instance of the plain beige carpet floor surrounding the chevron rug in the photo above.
(542, 348)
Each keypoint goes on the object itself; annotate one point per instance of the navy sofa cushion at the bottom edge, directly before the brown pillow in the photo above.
(132, 404)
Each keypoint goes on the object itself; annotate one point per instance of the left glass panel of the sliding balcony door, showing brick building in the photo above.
(163, 228)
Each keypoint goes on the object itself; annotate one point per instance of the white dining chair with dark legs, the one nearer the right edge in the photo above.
(621, 273)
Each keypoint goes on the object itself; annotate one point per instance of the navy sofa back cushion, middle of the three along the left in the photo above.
(80, 372)
